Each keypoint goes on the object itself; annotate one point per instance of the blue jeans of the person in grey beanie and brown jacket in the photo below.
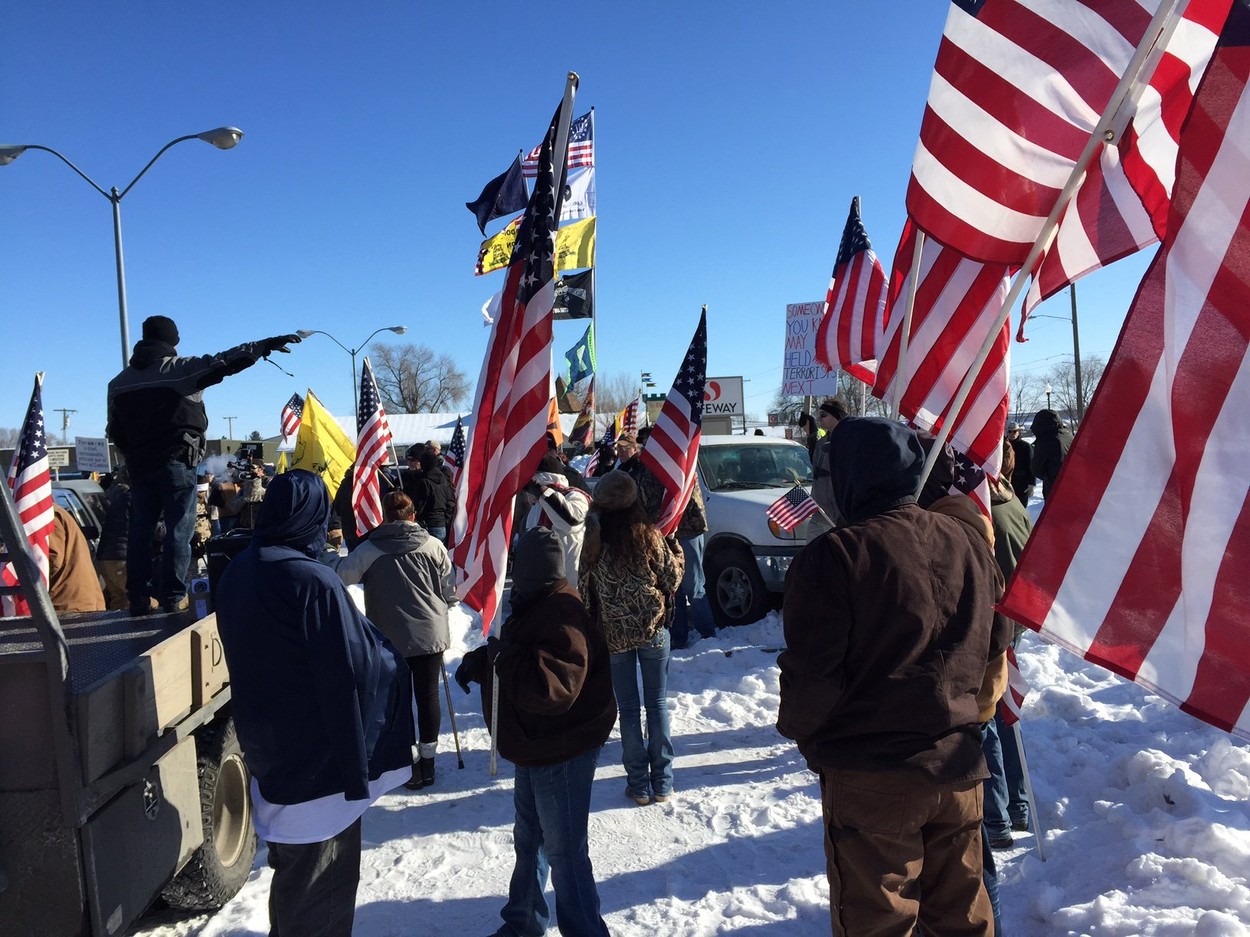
(549, 835)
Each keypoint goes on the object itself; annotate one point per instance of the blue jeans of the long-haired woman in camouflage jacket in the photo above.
(648, 764)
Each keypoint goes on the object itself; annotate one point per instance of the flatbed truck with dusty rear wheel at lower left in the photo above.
(122, 778)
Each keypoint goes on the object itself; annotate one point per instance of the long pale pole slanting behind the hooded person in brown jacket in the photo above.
(1107, 131)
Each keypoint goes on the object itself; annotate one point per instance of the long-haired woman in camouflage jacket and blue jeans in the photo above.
(629, 577)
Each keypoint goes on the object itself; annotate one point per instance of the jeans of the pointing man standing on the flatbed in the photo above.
(169, 489)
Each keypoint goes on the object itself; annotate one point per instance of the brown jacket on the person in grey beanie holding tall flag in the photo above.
(556, 688)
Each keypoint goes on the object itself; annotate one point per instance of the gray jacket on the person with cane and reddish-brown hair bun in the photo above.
(408, 587)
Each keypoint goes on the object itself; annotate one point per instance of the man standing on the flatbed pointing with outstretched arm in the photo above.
(157, 420)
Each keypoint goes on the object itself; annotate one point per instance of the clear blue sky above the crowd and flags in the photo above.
(731, 139)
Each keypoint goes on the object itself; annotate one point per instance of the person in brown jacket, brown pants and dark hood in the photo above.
(889, 625)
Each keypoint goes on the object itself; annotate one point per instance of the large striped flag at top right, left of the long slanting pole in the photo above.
(1016, 97)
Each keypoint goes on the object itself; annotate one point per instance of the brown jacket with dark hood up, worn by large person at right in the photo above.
(888, 622)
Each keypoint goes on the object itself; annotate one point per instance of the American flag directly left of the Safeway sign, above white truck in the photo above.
(672, 452)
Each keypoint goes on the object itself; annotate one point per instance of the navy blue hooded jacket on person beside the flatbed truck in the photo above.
(322, 702)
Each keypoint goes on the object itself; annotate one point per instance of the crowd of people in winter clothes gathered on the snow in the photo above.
(894, 662)
